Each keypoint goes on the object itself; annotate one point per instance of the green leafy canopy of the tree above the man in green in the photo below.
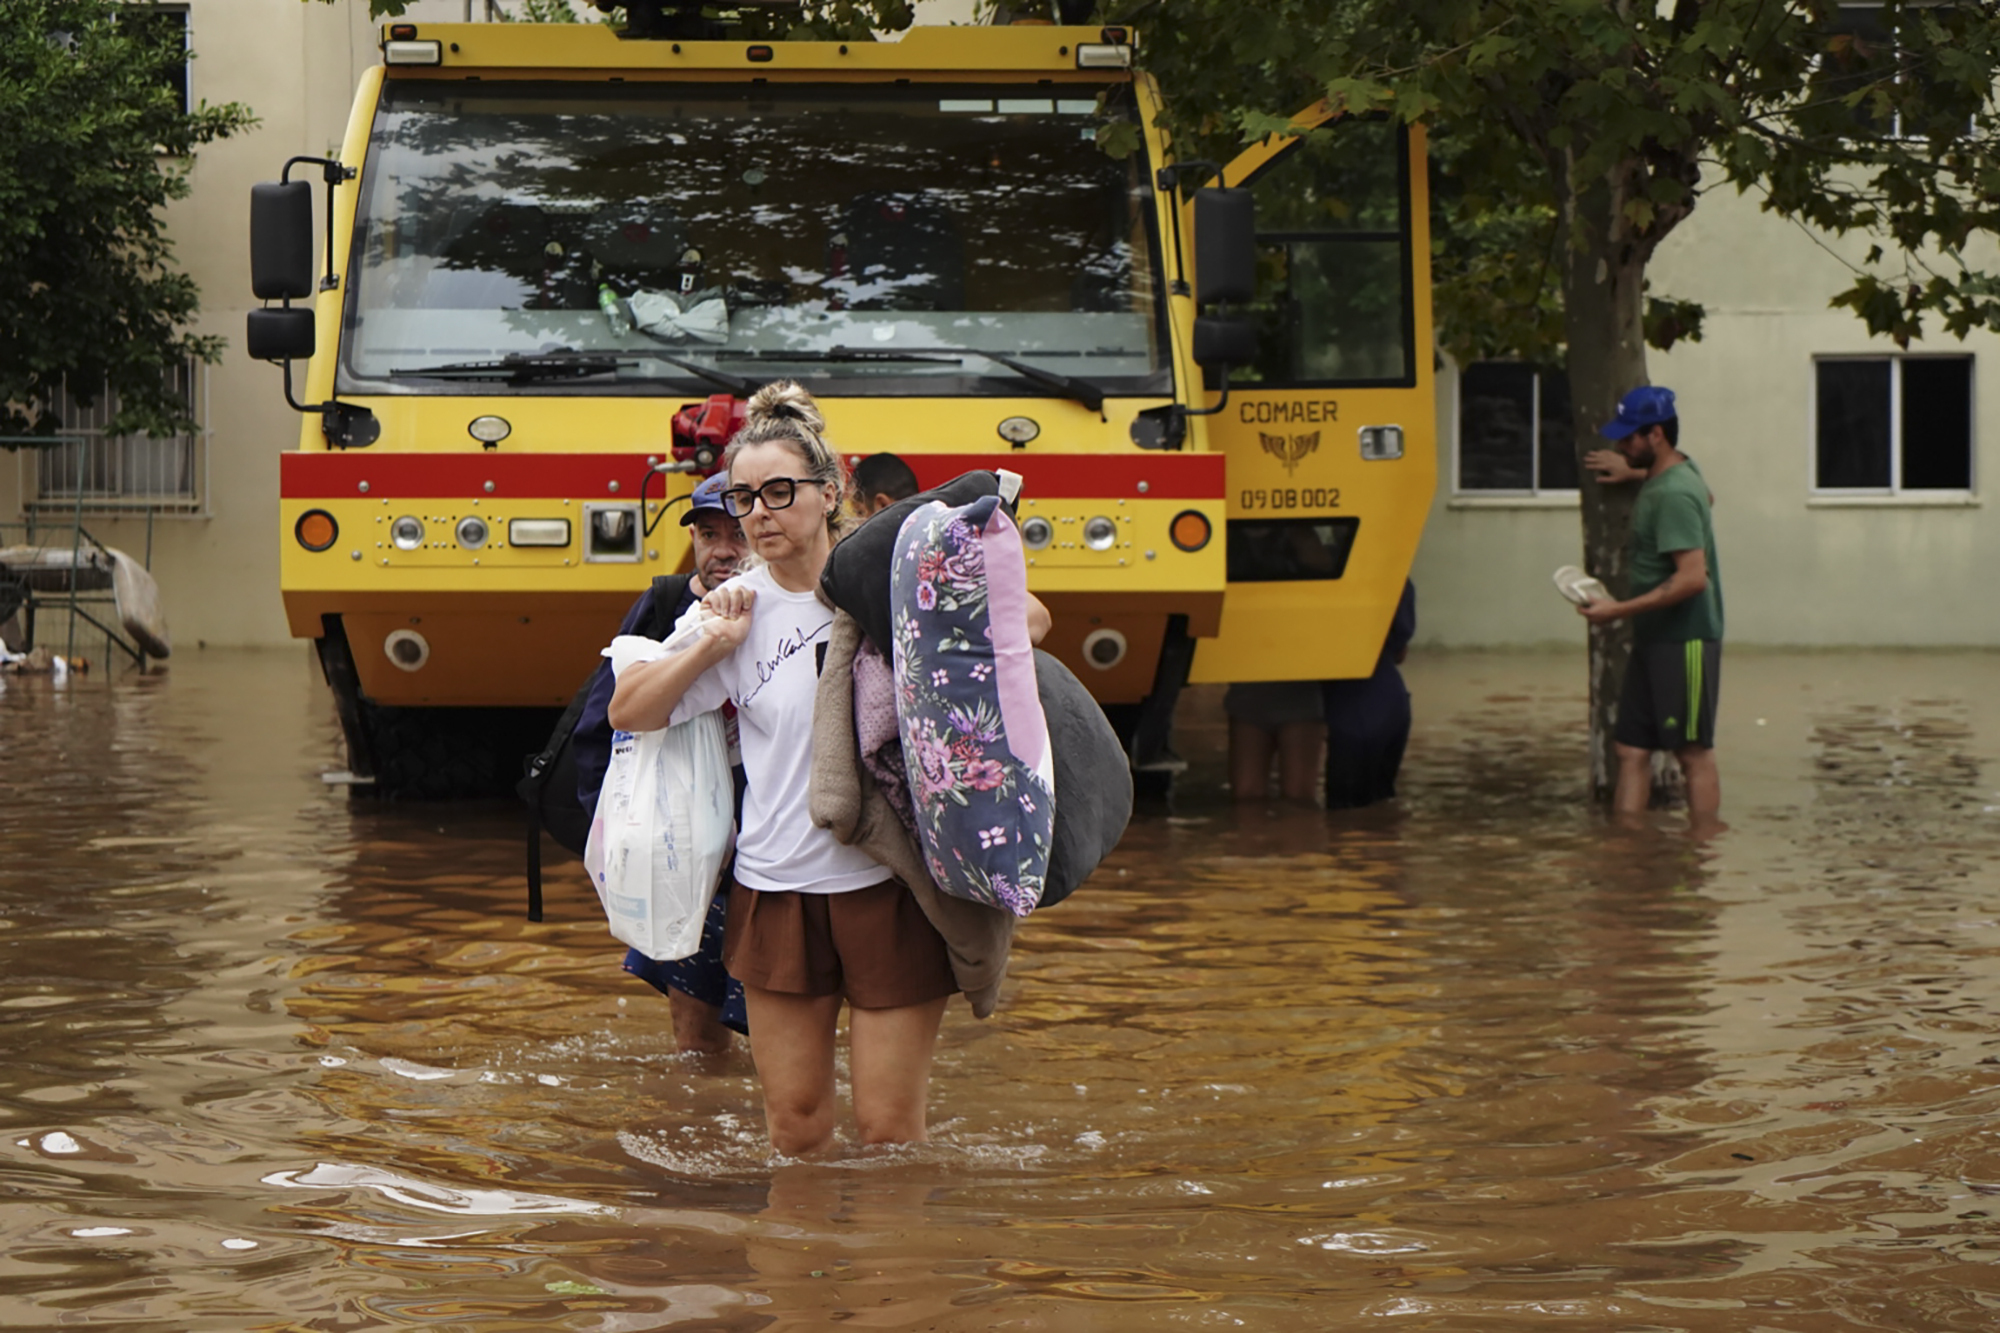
(1849, 119)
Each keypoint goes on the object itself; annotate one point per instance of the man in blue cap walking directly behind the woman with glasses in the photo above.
(707, 1004)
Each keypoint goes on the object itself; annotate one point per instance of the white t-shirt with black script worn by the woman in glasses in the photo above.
(773, 682)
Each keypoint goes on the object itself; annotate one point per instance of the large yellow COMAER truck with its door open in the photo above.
(553, 259)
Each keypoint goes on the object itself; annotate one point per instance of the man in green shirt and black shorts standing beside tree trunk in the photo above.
(1673, 682)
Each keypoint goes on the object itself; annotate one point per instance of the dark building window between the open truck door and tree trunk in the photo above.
(1515, 433)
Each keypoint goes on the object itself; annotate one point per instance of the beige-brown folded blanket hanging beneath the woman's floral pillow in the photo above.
(849, 806)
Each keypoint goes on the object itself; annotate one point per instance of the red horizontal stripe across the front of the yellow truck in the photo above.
(589, 477)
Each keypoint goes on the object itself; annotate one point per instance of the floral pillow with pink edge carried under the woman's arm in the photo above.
(975, 740)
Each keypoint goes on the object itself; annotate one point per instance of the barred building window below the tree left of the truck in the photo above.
(115, 473)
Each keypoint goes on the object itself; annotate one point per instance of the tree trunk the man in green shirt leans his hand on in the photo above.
(1605, 305)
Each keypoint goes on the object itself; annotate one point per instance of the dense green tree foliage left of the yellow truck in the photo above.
(93, 145)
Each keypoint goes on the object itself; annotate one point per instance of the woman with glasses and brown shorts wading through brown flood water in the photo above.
(811, 922)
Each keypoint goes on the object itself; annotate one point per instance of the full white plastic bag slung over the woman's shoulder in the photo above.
(663, 828)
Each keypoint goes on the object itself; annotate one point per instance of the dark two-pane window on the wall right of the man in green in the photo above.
(1893, 423)
